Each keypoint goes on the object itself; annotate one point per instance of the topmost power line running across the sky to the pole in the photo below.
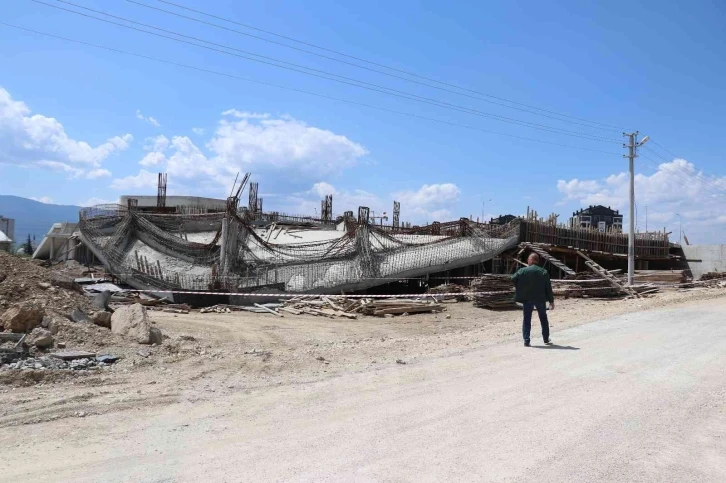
(379, 64)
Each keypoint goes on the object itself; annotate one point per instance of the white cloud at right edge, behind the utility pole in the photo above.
(674, 188)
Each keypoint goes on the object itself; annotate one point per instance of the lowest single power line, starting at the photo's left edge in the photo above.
(292, 89)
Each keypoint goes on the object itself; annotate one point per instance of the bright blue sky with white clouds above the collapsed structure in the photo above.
(512, 105)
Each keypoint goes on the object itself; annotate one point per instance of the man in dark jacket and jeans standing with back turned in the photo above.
(532, 289)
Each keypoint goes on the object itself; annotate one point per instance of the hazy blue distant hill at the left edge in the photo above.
(33, 217)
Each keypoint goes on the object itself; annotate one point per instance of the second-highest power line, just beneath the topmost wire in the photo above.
(531, 110)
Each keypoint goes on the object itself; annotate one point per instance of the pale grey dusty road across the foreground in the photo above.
(636, 398)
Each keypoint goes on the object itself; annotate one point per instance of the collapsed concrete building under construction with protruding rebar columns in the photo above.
(199, 244)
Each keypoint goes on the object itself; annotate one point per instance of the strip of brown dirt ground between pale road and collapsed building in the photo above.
(209, 355)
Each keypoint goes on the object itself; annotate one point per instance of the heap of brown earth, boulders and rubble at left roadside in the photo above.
(43, 313)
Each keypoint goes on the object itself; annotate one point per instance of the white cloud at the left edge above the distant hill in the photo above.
(37, 140)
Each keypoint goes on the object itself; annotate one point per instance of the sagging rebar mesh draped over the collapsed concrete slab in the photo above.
(154, 250)
